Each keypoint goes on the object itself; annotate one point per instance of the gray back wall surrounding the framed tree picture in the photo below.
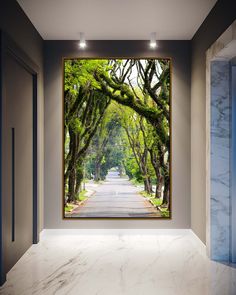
(179, 51)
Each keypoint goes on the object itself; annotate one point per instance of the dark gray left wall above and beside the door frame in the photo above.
(16, 24)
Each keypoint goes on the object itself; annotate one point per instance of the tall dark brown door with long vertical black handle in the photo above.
(17, 171)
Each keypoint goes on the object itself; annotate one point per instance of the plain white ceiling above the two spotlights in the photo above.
(117, 19)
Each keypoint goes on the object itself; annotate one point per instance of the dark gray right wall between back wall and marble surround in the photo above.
(218, 20)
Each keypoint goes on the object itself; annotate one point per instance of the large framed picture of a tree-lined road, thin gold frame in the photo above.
(117, 138)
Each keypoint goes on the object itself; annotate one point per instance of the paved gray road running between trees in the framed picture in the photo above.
(116, 197)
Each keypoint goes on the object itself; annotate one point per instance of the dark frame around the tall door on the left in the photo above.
(8, 47)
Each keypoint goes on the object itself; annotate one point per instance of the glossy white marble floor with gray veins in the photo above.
(166, 263)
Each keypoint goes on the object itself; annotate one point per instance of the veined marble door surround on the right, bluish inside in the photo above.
(219, 239)
